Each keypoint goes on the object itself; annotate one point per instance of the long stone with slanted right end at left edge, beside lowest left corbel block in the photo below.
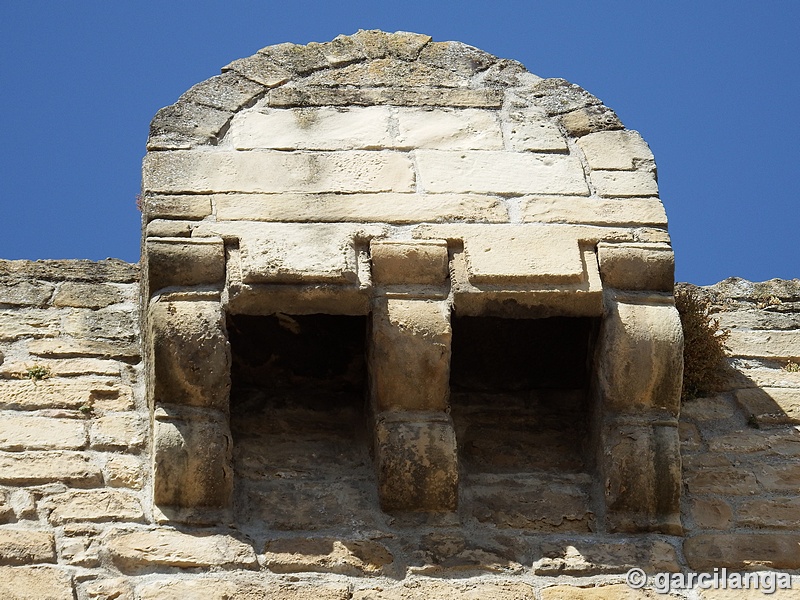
(35, 468)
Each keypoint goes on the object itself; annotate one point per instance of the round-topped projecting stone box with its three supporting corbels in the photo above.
(409, 182)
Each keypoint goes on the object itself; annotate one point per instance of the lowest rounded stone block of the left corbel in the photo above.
(191, 461)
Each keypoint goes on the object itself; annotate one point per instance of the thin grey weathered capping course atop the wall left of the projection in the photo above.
(111, 270)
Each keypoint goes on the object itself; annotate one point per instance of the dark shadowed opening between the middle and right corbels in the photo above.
(520, 405)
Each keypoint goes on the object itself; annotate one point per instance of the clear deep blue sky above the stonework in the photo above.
(711, 85)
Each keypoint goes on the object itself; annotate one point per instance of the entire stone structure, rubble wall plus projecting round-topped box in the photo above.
(407, 331)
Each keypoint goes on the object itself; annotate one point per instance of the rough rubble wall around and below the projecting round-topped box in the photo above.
(74, 476)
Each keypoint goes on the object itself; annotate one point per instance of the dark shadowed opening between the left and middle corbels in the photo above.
(301, 451)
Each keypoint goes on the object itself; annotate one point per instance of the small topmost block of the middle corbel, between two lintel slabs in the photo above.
(399, 262)
